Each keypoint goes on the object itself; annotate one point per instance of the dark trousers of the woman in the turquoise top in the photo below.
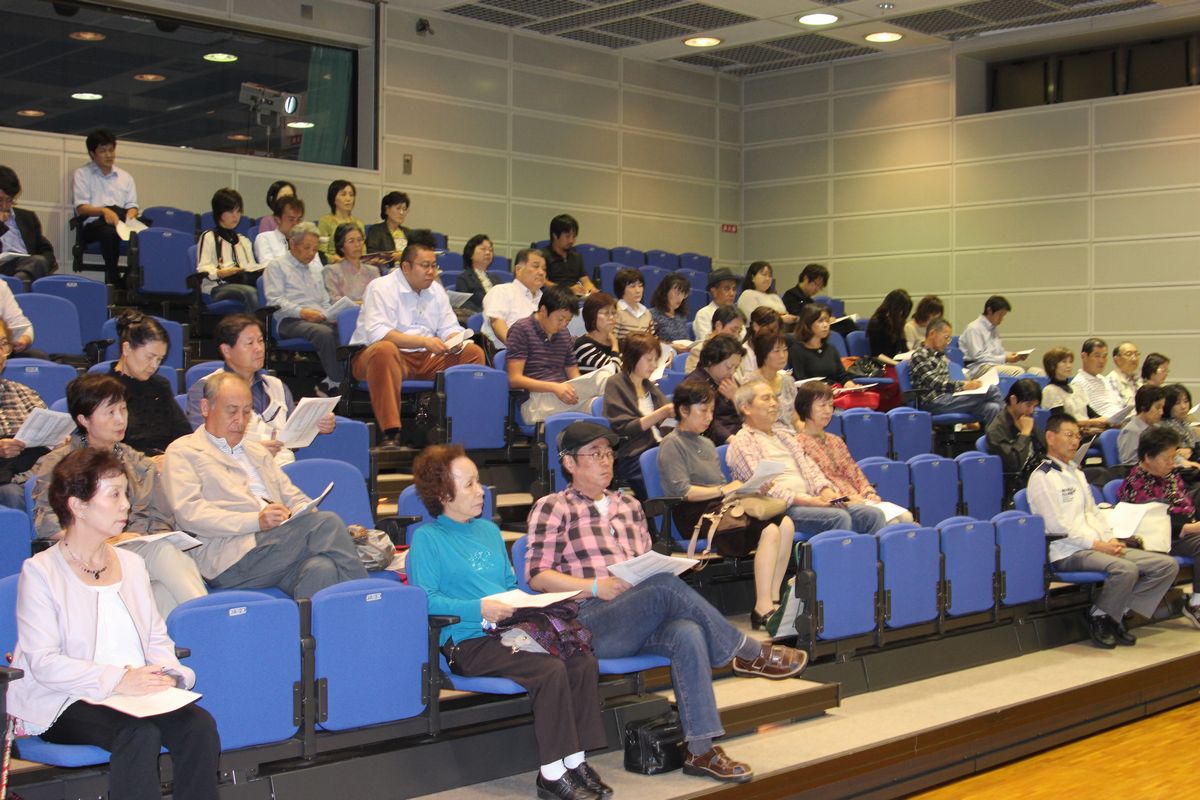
(566, 695)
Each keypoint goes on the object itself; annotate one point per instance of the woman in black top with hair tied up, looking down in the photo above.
(155, 419)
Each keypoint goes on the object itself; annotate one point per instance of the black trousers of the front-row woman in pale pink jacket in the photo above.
(190, 735)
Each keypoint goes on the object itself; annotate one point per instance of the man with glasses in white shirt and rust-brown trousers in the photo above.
(410, 330)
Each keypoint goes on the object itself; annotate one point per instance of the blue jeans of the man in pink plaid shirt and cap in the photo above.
(665, 617)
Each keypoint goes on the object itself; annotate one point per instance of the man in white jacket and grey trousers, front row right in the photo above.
(1137, 580)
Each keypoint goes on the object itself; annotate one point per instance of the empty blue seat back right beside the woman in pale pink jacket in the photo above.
(247, 655)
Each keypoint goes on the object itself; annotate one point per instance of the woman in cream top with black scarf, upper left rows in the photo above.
(226, 257)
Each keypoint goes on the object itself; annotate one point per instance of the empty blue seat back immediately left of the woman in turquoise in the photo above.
(370, 633)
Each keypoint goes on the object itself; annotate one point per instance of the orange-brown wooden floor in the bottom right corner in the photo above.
(1101, 766)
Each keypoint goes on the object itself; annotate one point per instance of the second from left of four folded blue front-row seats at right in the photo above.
(913, 569)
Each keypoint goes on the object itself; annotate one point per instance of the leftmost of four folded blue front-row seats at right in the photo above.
(847, 573)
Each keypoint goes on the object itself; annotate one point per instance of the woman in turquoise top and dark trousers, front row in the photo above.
(460, 561)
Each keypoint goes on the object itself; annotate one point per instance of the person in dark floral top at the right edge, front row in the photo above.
(1156, 479)
